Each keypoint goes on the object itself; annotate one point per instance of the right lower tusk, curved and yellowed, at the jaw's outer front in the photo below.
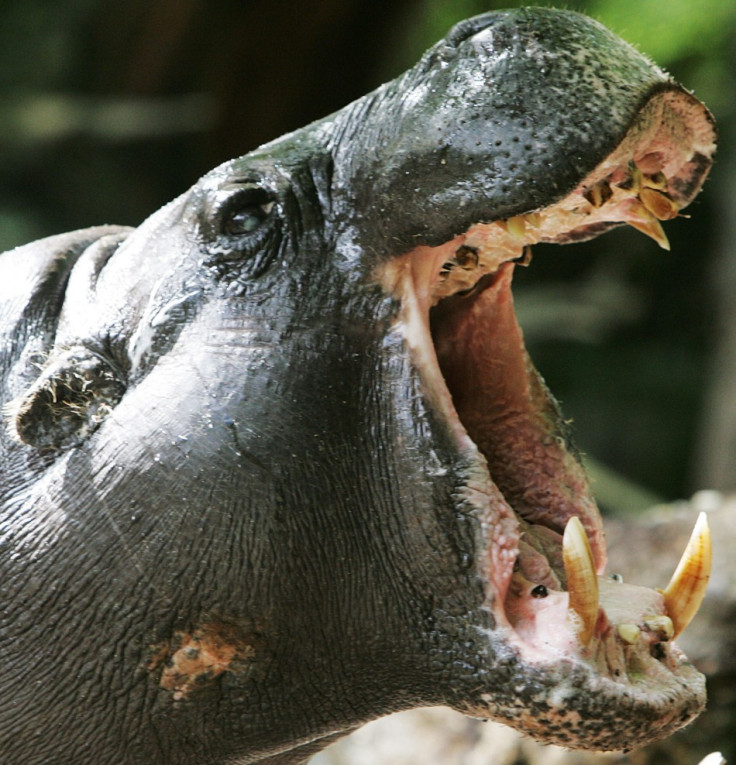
(686, 590)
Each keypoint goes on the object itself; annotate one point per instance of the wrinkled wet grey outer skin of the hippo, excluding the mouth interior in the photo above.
(231, 526)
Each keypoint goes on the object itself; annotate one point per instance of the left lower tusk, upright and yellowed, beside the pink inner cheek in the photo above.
(582, 582)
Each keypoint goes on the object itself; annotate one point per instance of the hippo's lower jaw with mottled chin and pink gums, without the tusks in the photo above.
(607, 693)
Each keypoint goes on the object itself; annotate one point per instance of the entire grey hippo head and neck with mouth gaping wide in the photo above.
(277, 462)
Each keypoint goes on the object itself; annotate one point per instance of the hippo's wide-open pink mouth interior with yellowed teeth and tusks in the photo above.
(546, 553)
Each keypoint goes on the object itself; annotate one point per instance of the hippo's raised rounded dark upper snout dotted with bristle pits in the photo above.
(497, 124)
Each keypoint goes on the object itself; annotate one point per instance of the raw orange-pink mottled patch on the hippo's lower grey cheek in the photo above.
(194, 659)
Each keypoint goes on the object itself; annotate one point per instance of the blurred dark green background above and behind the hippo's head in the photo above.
(109, 110)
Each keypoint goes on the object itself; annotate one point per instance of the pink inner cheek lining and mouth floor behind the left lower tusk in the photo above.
(515, 423)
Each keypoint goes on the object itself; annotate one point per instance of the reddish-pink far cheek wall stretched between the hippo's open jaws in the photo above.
(508, 412)
